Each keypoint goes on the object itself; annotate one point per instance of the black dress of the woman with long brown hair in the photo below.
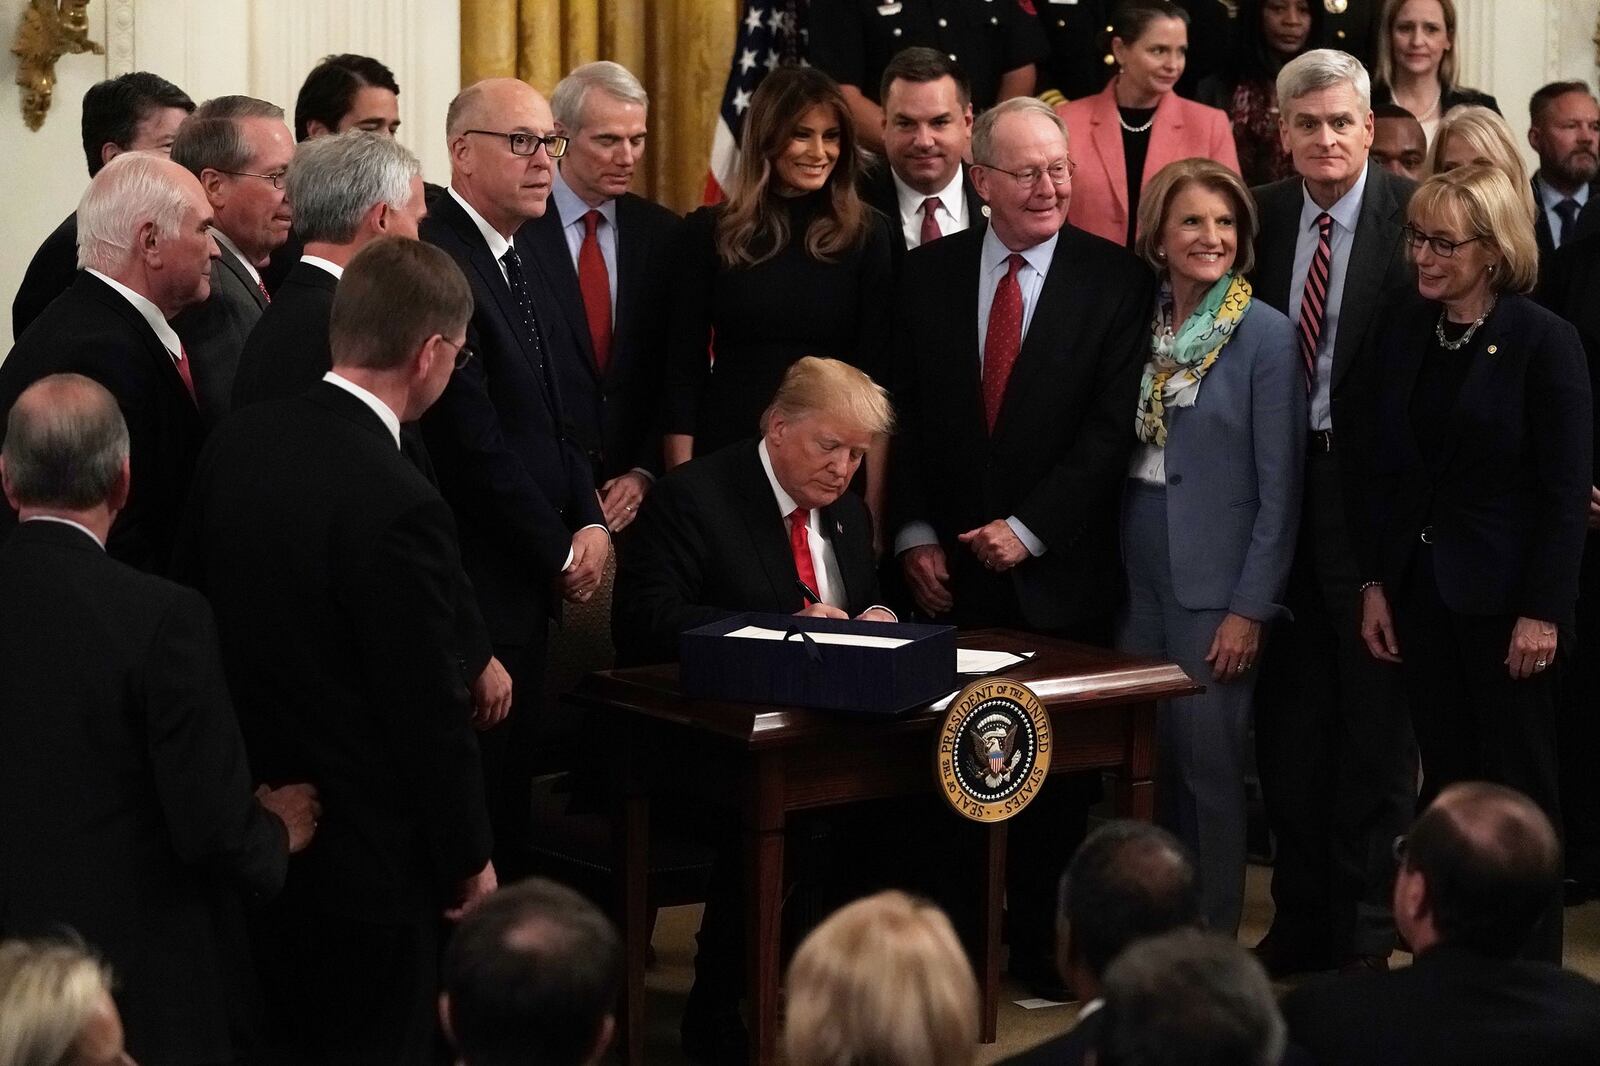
(759, 321)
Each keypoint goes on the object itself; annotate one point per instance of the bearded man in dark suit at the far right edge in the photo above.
(1566, 132)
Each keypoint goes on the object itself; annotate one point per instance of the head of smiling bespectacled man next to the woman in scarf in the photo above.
(1023, 170)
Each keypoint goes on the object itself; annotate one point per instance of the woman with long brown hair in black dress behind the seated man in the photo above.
(793, 265)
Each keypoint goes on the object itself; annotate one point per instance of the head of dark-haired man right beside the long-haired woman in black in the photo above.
(927, 118)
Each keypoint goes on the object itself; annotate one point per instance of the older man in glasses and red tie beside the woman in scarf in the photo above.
(1006, 484)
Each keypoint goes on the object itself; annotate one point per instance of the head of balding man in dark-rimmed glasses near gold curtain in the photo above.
(503, 146)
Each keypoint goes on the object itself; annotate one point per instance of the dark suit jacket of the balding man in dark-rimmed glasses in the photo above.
(519, 484)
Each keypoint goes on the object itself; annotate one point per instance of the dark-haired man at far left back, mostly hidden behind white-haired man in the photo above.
(135, 113)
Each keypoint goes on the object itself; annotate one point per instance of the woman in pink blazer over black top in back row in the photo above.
(1137, 126)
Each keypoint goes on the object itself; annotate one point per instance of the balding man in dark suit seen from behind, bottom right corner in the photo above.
(1478, 872)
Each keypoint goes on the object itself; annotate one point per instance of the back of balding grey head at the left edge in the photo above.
(66, 446)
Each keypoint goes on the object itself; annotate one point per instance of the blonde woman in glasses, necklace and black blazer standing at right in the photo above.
(1478, 463)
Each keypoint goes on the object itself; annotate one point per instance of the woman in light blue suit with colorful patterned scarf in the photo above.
(1212, 505)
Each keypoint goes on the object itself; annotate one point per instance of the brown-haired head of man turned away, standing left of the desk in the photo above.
(401, 315)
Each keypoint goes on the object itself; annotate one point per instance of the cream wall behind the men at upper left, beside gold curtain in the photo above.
(210, 49)
